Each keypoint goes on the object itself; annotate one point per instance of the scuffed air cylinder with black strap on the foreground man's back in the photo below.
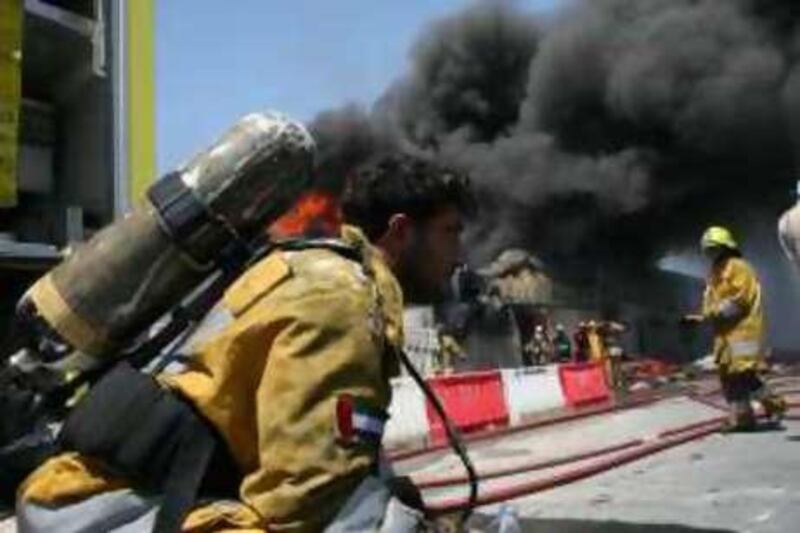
(113, 288)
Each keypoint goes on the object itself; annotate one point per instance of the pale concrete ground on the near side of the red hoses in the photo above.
(738, 482)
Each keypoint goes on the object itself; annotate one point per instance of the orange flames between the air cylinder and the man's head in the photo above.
(315, 214)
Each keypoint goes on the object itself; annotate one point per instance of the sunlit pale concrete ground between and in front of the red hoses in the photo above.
(744, 482)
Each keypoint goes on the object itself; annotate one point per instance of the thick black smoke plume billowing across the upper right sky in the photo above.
(605, 135)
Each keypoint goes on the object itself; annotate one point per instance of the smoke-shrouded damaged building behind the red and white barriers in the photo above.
(495, 311)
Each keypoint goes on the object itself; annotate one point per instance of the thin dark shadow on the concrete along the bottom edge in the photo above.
(483, 523)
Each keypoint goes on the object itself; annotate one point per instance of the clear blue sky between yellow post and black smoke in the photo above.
(217, 60)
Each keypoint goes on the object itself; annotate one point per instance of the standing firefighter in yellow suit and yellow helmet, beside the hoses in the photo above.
(733, 306)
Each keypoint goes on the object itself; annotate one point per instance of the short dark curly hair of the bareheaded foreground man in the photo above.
(403, 184)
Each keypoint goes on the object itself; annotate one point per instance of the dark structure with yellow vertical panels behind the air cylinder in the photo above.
(77, 141)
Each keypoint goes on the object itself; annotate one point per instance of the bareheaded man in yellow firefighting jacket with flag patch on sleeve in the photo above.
(292, 371)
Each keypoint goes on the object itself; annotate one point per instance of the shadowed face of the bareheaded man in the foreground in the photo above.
(433, 252)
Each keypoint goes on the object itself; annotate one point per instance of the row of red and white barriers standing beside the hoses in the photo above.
(480, 400)
